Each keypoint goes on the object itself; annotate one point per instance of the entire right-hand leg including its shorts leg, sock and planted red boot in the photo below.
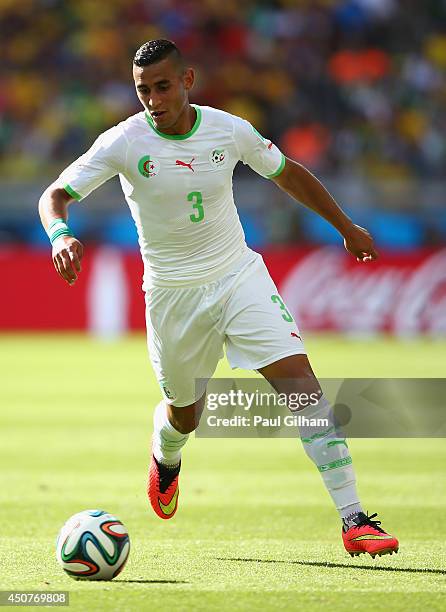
(261, 335)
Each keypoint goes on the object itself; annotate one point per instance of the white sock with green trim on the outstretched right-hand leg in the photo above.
(327, 448)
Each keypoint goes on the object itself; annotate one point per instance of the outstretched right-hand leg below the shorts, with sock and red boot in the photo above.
(327, 448)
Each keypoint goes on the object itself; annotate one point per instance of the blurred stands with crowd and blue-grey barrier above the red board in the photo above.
(353, 89)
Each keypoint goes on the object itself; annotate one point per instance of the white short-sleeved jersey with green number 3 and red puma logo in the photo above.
(179, 190)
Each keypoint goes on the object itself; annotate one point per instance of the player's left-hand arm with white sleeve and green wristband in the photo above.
(97, 165)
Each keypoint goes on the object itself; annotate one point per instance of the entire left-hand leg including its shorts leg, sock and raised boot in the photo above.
(185, 347)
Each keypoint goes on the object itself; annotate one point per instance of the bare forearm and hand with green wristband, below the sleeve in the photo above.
(67, 251)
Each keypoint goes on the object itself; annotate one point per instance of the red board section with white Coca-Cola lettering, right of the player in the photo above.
(400, 293)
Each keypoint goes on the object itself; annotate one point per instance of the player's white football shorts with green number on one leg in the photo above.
(188, 326)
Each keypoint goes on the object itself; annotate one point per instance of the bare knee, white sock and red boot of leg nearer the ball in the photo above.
(171, 428)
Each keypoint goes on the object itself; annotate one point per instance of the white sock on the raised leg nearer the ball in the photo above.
(167, 442)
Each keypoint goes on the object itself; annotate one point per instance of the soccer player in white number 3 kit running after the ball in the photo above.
(204, 287)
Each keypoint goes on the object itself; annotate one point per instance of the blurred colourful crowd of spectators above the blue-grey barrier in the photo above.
(341, 85)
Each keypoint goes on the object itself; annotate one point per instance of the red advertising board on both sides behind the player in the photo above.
(324, 288)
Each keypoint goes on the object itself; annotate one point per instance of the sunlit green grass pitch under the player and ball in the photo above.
(255, 528)
